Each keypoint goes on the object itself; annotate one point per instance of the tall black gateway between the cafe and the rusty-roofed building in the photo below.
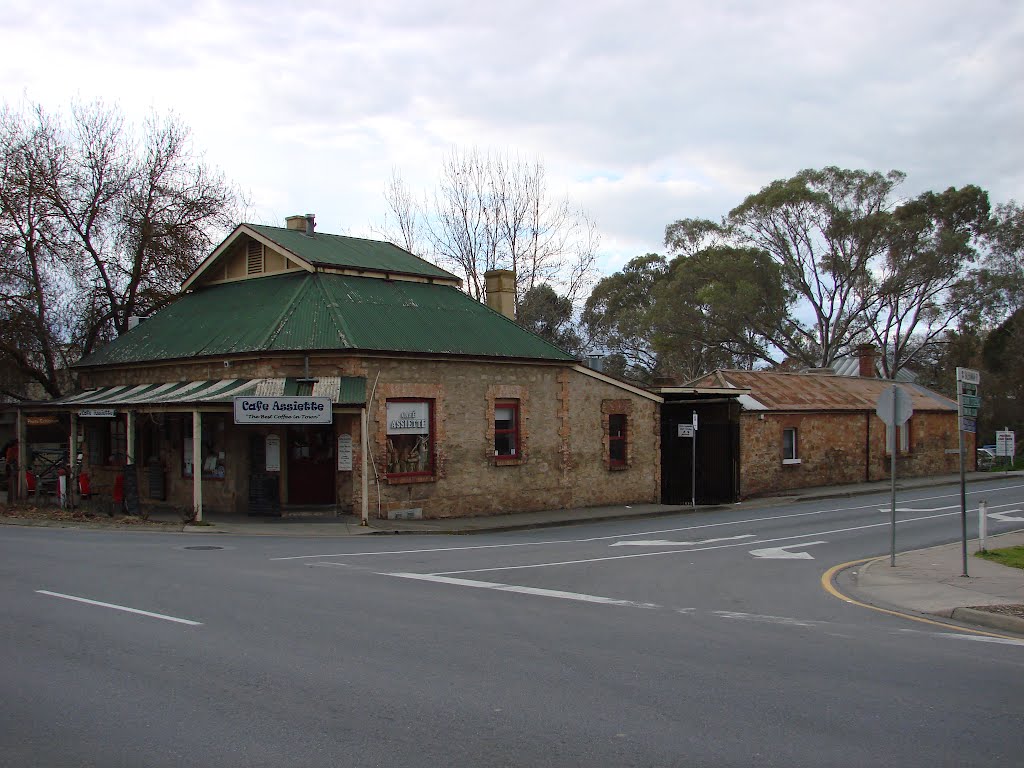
(717, 437)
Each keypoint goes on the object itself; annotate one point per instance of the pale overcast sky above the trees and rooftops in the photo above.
(643, 112)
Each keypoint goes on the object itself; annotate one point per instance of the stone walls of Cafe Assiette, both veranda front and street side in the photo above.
(563, 459)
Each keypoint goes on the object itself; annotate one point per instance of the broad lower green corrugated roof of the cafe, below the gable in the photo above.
(303, 312)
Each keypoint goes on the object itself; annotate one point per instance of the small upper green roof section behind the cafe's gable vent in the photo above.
(354, 253)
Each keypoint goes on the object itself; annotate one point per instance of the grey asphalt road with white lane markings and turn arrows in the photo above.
(698, 639)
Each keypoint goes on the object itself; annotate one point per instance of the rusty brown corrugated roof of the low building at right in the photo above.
(792, 392)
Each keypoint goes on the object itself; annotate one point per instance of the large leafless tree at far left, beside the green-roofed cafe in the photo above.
(99, 226)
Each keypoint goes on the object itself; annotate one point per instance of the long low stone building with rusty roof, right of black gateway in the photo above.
(819, 429)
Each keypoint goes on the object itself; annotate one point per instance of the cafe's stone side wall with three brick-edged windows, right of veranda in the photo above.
(563, 461)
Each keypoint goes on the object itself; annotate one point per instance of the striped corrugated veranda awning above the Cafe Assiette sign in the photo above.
(344, 391)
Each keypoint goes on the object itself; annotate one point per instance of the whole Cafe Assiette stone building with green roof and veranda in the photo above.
(307, 371)
